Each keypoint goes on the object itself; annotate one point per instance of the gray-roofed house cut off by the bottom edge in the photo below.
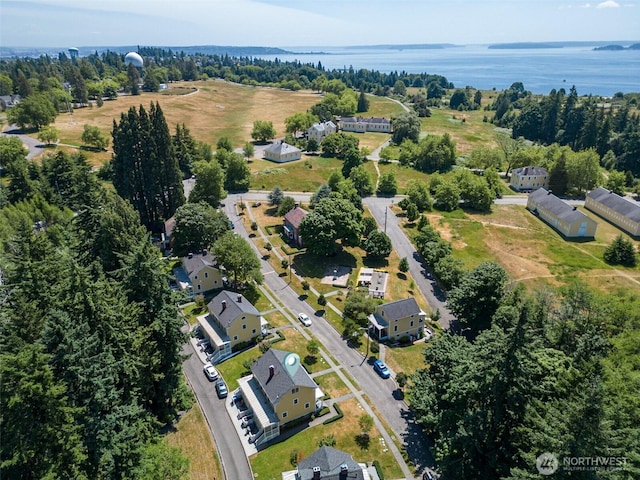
(327, 463)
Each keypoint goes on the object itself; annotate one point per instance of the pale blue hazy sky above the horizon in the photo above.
(285, 23)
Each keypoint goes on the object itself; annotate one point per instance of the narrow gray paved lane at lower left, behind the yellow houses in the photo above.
(234, 462)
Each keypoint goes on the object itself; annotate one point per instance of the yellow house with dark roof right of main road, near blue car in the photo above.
(395, 320)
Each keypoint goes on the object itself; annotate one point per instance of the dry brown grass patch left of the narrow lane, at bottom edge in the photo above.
(192, 436)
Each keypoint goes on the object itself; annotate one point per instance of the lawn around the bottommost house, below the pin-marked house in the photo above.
(268, 464)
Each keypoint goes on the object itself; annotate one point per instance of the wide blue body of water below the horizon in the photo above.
(540, 69)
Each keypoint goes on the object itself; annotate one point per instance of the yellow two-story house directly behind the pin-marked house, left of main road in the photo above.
(232, 320)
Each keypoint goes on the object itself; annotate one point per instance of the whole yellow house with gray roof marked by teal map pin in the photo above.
(278, 391)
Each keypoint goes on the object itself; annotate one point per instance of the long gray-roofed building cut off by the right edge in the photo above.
(623, 213)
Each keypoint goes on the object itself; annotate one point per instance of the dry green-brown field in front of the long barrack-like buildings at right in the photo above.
(530, 250)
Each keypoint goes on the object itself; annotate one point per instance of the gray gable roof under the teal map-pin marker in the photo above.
(281, 382)
